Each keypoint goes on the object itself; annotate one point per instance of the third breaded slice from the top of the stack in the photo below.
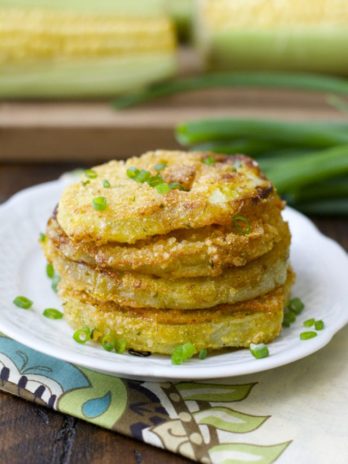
(139, 290)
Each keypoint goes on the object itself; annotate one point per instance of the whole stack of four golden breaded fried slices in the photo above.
(171, 248)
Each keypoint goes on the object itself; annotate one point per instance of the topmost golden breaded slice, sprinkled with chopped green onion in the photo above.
(136, 211)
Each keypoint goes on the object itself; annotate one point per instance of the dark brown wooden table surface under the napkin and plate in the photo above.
(31, 434)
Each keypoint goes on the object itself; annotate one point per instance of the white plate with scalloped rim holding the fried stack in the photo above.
(321, 266)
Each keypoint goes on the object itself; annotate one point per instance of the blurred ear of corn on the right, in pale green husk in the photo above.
(273, 34)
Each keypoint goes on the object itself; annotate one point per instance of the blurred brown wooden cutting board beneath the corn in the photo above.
(93, 131)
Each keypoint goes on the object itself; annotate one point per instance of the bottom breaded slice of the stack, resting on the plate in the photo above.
(253, 321)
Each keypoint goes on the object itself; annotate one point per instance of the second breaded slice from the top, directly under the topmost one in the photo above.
(182, 253)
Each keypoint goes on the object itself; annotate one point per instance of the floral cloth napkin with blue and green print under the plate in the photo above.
(293, 414)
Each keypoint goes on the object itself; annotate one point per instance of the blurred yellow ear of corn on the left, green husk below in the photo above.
(68, 53)
